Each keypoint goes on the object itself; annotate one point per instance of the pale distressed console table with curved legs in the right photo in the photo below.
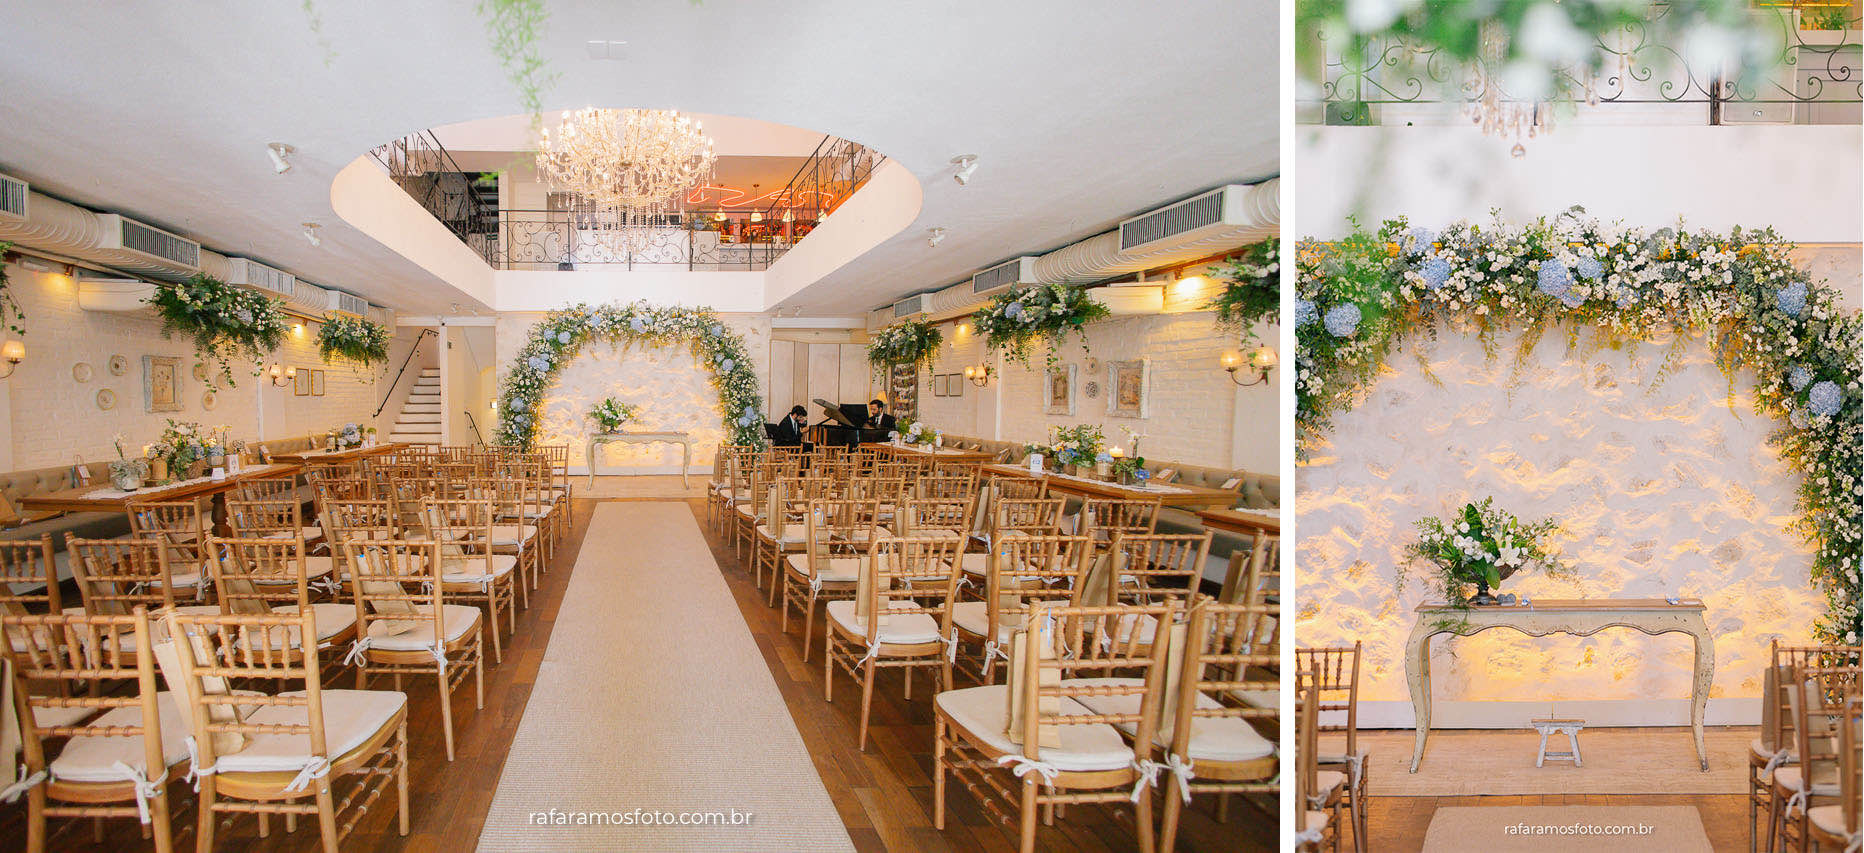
(1570, 616)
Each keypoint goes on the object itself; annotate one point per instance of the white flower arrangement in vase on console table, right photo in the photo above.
(1485, 547)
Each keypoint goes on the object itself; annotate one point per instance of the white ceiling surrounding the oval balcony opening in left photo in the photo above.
(1080, 111)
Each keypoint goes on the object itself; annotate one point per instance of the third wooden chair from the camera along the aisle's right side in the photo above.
(836, 535)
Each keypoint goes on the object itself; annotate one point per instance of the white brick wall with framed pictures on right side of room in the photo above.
(1196, 416)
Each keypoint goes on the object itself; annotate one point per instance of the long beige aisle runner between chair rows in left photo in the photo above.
(653, 697)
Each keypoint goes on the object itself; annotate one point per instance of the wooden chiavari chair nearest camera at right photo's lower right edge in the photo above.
(1811, 778)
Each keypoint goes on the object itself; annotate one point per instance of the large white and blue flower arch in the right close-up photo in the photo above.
(1362, 297)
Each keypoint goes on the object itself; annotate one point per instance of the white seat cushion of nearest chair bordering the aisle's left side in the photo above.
(351, 718)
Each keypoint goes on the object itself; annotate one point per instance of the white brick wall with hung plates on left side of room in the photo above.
(55, 418)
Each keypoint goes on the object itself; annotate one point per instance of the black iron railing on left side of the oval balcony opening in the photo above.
(465, 202)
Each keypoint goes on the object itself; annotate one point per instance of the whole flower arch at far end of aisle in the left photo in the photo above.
(562, 336)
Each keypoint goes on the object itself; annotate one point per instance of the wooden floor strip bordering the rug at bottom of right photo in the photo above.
(1399, 824)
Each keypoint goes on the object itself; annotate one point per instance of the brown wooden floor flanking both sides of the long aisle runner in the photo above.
(884, 794)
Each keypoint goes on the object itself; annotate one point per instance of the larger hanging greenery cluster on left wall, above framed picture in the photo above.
(226, 323)
